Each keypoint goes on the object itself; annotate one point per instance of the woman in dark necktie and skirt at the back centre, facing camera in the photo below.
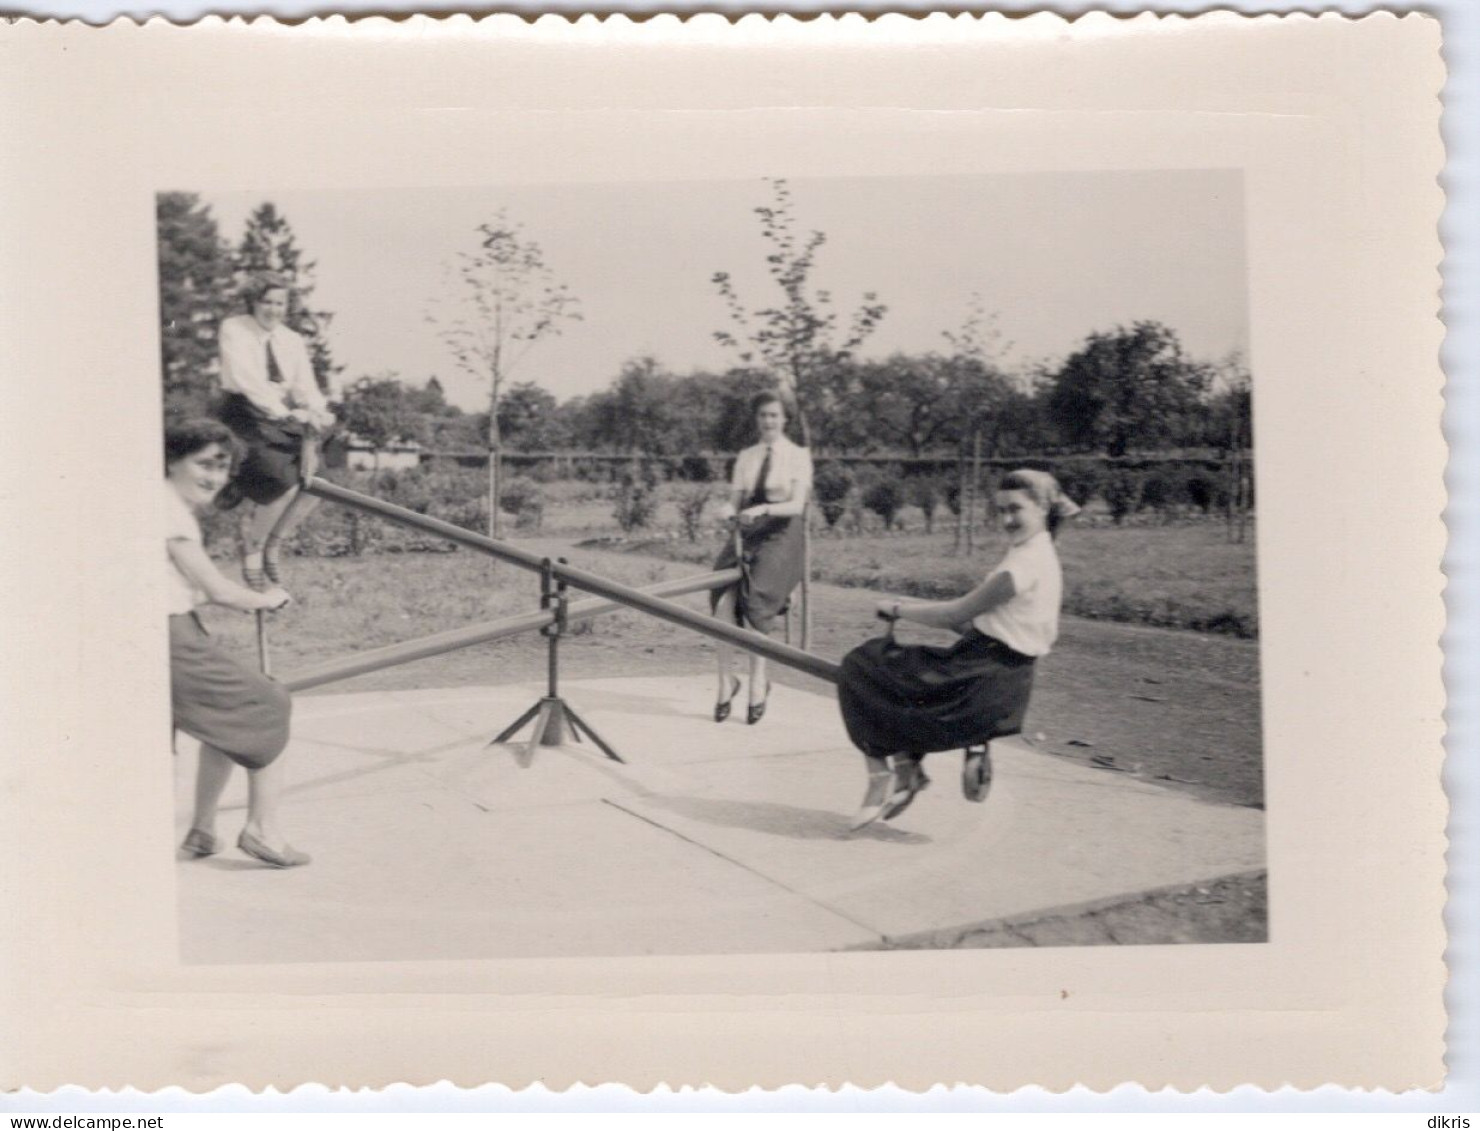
(769, 495)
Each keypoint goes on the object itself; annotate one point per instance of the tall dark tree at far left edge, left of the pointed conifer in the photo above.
(195, 295)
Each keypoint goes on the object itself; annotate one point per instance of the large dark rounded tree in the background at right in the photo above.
(1133, 387)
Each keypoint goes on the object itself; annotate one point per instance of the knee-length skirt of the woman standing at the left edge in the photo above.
(224, 704)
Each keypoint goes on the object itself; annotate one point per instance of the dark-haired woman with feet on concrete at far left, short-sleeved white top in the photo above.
(239, 716)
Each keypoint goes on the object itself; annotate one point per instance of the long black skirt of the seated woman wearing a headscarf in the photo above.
(921, 699)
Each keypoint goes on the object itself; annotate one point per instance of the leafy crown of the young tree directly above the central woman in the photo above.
(800, 340)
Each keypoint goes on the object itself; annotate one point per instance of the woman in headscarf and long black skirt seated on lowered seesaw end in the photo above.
(902, 702)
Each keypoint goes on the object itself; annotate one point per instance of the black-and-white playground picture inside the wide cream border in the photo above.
(784, 565)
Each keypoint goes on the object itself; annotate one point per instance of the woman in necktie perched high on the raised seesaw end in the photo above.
(273, 403)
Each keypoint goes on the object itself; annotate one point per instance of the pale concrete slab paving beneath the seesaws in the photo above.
(430, 845)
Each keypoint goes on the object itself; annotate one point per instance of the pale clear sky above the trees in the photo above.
(1054, 255)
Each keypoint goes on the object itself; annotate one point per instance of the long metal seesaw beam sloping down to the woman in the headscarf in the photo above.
(581, 580)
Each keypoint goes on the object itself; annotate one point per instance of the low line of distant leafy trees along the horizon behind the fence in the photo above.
(1124, 392)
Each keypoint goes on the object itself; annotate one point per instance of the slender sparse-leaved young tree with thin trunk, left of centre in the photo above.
(501, 301)
